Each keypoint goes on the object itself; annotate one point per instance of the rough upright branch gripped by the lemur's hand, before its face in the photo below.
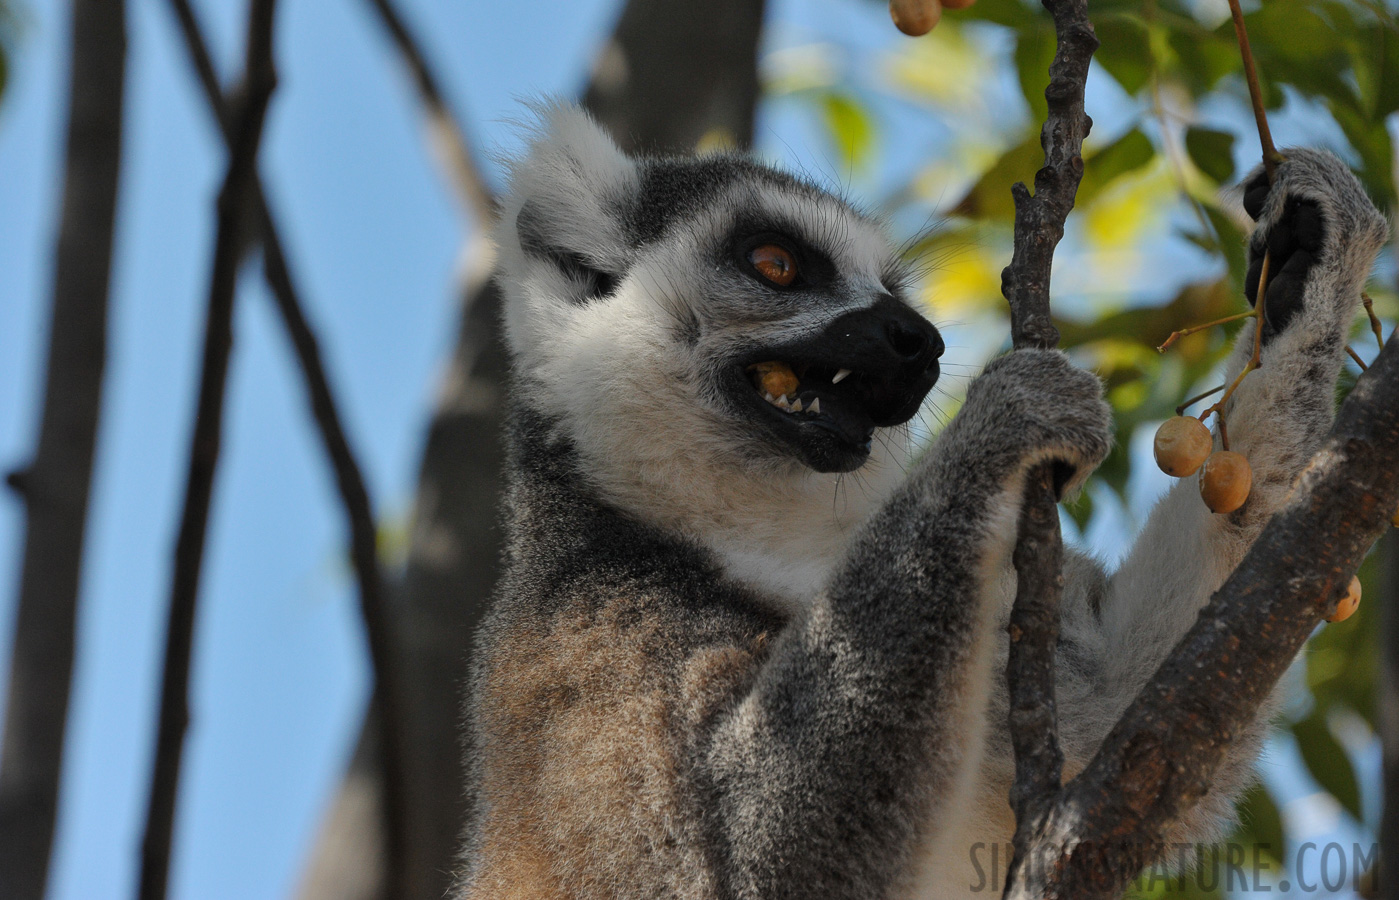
(1039, 558)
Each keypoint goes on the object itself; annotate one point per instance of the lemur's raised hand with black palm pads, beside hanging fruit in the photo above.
(1321, 233)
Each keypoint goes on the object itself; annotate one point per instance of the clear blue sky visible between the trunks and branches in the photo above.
(374, 239)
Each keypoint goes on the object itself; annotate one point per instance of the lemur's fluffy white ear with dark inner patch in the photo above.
(569, 199)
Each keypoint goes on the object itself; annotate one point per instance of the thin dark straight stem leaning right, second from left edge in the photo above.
(260, 82)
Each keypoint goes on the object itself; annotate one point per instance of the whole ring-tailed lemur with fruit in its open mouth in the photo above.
(718, 670)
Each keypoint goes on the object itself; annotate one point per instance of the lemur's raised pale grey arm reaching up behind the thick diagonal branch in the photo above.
(1324, 234)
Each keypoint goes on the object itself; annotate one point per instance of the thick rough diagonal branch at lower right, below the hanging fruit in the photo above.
(1163, 754)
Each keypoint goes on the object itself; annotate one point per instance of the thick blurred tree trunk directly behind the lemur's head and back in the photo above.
(674, 72)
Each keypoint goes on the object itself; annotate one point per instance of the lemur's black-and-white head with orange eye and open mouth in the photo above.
(685, 281)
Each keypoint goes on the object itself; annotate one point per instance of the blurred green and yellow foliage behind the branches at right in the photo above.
(1153, 178)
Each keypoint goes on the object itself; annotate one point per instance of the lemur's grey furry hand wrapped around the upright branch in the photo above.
(1036, 405)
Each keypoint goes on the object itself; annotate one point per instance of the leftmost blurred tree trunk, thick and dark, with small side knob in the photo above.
(57, 485)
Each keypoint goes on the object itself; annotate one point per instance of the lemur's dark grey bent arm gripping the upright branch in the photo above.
(861, 723)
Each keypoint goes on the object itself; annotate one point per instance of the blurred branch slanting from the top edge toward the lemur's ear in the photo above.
(462, 167)
